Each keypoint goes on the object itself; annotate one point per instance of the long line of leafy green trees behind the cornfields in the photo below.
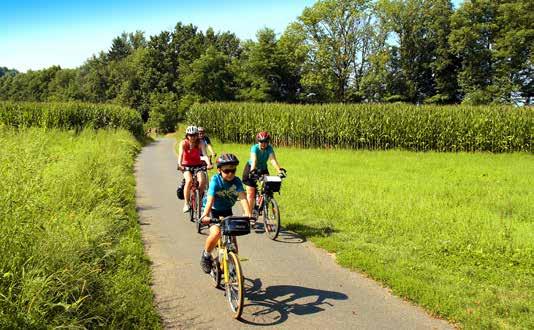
(350, 51)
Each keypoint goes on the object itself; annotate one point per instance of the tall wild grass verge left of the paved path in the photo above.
(71, 248)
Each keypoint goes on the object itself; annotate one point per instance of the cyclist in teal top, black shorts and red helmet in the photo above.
(260, 153)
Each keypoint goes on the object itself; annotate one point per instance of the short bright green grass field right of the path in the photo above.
(453, 232)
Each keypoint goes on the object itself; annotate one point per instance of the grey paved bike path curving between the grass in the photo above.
(289, 283)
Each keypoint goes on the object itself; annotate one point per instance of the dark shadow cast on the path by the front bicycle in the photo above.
(274, 304)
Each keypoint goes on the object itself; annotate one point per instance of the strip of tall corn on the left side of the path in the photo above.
(71, 115)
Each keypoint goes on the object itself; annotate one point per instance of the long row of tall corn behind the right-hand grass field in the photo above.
(372, 126)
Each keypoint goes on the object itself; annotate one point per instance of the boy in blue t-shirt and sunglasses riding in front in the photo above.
(224, 190)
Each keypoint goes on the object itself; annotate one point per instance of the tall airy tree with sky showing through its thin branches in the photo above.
(338, 36)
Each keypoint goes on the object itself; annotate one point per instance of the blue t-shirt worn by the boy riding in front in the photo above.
(225, 192)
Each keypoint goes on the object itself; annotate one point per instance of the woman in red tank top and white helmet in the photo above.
(189, 158)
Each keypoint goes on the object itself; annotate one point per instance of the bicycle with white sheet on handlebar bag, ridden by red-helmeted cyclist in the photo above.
(265, 204)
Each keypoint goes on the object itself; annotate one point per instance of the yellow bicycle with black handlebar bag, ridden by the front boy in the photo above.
(226, 265)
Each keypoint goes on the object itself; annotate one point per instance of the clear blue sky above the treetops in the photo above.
(38, 34)
